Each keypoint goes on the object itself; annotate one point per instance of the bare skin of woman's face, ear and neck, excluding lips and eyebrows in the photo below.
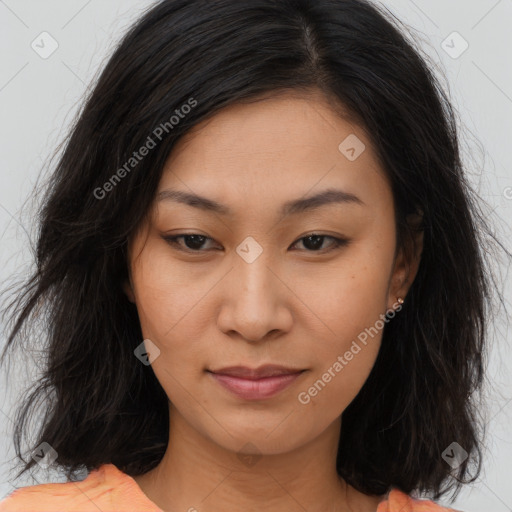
(293, 305)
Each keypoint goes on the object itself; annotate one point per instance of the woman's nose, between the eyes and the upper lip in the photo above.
(256, 301)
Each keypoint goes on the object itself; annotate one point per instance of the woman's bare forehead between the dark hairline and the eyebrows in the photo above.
(275, 149)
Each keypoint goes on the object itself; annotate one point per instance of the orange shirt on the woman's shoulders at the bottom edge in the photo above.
(107, 489)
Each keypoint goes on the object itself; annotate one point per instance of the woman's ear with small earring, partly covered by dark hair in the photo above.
(407, 261)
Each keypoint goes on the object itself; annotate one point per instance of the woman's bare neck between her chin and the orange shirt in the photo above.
(197, 474)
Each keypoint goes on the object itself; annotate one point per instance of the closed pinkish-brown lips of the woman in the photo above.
(255, 383)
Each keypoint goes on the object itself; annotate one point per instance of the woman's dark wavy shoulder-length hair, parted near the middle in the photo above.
(103, 406)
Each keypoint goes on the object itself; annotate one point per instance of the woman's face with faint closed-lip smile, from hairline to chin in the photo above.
(256, 290)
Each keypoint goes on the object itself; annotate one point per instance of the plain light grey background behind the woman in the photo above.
(38, 98)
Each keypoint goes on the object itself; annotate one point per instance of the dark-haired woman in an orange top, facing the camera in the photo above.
(263, 272)
